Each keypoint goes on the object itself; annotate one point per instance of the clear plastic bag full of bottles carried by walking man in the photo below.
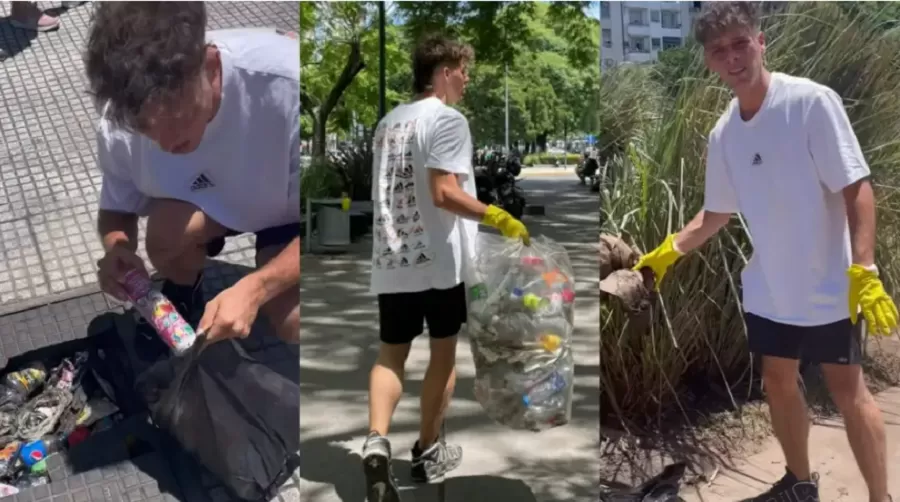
(520, 325)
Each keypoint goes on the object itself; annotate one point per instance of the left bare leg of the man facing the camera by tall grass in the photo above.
(787, 409)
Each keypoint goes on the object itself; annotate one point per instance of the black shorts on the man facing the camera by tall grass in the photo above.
(836, 343)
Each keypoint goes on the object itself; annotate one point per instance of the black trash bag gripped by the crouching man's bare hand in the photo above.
(237, 416)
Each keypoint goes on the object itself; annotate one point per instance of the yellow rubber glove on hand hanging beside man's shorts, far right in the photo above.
(867, 294)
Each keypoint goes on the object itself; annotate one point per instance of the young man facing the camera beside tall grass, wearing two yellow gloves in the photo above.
(785, 156)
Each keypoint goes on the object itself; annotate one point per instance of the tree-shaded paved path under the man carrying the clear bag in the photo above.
(339, 341)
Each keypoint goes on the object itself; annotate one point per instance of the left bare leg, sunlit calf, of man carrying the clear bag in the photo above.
(386, 385)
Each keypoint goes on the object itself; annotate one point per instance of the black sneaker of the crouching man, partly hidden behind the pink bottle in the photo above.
(188, 301)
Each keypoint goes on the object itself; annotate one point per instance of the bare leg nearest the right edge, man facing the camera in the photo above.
(864, 424)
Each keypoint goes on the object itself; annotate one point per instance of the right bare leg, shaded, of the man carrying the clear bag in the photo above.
(437, 389)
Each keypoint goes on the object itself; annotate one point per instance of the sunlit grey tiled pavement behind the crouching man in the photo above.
(49, 184)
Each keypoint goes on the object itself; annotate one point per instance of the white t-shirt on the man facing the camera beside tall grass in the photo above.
(784, 170)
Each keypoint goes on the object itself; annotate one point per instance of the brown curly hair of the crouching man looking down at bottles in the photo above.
(138, 51)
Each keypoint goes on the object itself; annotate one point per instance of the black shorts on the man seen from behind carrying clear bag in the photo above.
(402, 315)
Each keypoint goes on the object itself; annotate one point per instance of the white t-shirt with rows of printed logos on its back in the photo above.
(417, 246)
